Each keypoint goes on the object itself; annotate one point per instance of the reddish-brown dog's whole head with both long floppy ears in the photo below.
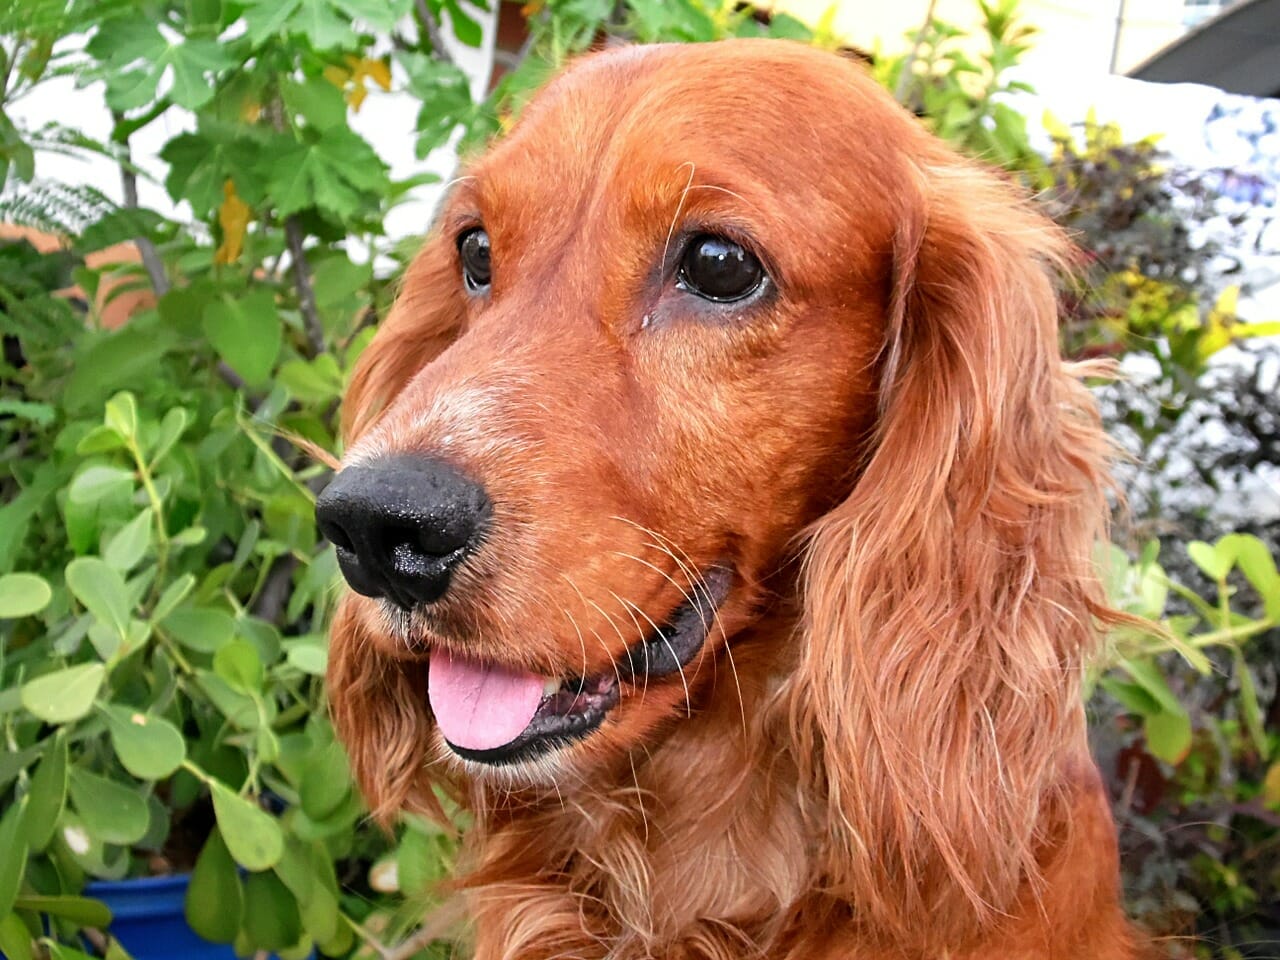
(708, 324)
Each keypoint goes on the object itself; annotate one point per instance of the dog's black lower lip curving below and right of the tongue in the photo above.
(580, 705)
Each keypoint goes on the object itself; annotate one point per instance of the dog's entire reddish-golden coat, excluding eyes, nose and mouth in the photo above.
(880, 753)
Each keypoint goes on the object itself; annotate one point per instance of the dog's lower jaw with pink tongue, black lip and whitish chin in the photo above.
(542, 726)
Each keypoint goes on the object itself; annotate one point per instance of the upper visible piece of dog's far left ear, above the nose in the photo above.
(424, 321)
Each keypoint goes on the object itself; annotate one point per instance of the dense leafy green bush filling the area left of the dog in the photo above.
(163, 593)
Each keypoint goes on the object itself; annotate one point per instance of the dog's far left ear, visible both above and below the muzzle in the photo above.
(378, 702)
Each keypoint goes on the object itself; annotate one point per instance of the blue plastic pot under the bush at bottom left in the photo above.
(148, 920)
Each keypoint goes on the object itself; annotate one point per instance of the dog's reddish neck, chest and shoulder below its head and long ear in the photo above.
(643, 865)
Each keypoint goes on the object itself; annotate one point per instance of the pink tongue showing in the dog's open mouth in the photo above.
(481, 706)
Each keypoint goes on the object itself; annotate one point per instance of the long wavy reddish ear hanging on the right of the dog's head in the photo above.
(950, 601)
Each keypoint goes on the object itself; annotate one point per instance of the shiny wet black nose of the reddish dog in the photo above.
(403, 525)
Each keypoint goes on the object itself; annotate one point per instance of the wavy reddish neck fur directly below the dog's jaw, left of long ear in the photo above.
(646, 857)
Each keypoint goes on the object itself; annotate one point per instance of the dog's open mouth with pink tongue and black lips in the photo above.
(491, 714)
